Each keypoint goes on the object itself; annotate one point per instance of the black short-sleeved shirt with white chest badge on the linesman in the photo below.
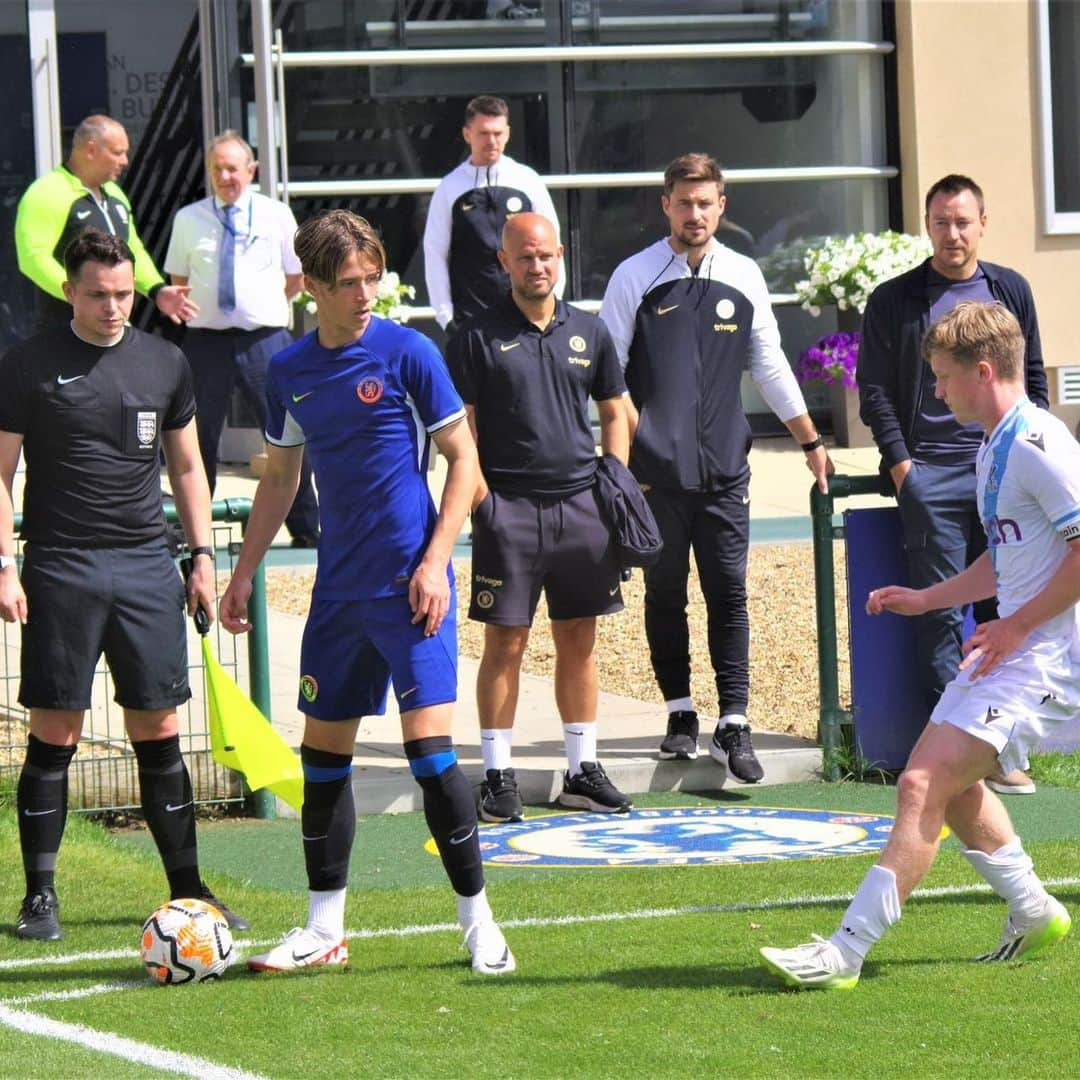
(91, 418)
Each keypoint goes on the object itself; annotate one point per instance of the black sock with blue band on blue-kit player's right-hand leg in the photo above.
(451, 811)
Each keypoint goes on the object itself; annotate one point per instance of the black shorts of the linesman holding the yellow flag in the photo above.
(128, 603)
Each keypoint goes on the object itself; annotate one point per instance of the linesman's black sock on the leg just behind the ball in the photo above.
(170, 812)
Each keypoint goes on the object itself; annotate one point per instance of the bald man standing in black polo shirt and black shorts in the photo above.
(526, 370)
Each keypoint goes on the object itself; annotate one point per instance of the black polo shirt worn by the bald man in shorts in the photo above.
(531, 389)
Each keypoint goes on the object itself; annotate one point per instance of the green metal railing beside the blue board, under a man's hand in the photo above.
(832, 718)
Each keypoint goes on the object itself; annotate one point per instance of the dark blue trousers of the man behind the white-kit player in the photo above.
(943, 535)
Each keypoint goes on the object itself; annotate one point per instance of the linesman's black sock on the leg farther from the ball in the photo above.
(42, 803)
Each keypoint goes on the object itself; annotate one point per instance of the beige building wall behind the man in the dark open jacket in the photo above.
(968, 89)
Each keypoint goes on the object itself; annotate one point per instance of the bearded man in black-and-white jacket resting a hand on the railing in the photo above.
(687, 315)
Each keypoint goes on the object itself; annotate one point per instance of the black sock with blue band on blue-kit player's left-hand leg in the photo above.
(329, 818)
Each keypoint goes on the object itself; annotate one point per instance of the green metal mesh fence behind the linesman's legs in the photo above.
(103, 775)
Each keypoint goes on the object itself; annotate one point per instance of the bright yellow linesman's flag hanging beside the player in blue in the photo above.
(241, 738)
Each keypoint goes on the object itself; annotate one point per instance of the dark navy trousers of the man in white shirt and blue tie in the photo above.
(220, 359)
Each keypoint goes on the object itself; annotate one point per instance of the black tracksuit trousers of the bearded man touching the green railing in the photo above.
(717, 525)
